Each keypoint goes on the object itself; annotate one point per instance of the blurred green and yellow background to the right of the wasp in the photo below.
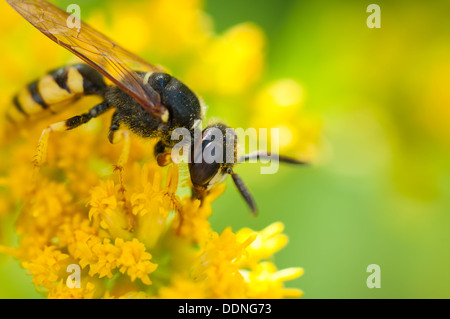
(380, 192)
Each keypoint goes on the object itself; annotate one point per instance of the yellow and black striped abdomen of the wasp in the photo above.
(57, 87)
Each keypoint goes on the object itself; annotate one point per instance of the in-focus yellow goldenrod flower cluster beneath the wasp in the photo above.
(141, 241)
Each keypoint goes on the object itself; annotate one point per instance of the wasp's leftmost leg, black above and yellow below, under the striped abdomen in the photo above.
(68, 124)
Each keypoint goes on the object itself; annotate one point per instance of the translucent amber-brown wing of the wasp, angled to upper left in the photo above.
(95, 49)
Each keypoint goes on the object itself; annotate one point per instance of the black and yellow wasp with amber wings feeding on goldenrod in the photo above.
(146, 100)
